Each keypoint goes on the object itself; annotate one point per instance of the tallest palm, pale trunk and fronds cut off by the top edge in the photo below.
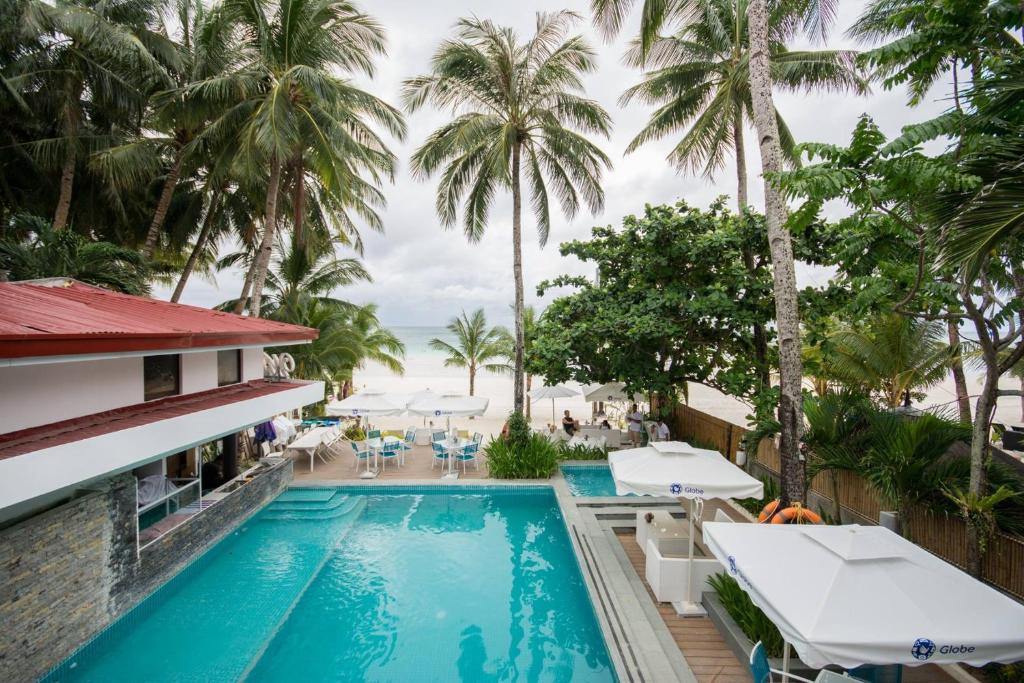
(815, 17)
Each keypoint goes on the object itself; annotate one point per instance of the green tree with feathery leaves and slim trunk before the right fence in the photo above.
(895, 191)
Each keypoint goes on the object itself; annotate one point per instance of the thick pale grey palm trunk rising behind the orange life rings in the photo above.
(781, 246)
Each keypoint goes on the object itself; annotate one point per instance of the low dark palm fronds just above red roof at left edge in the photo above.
(50, 253)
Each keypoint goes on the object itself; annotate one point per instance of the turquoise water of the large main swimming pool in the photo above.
(350, 585)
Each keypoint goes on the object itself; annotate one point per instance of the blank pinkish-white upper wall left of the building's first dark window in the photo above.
(39, 395)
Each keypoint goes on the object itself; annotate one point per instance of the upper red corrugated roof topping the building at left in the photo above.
(68, 318)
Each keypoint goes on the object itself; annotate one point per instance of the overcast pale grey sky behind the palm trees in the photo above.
(424, 275)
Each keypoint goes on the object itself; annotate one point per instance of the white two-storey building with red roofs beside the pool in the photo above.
(95, 383)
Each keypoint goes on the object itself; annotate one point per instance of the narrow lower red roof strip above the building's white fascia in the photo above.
(67, 432)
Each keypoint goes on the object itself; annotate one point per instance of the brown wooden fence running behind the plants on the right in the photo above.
(944, 535)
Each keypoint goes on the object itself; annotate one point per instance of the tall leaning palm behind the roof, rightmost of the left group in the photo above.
(295, 107)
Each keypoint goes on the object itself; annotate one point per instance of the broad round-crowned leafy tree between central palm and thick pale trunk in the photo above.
(673, 303)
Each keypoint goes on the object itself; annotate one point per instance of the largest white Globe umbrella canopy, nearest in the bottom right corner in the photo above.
(855, 595)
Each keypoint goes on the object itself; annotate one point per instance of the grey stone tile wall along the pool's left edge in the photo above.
(68, 573)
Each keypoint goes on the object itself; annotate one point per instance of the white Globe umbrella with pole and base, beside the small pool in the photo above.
(677, 469)
